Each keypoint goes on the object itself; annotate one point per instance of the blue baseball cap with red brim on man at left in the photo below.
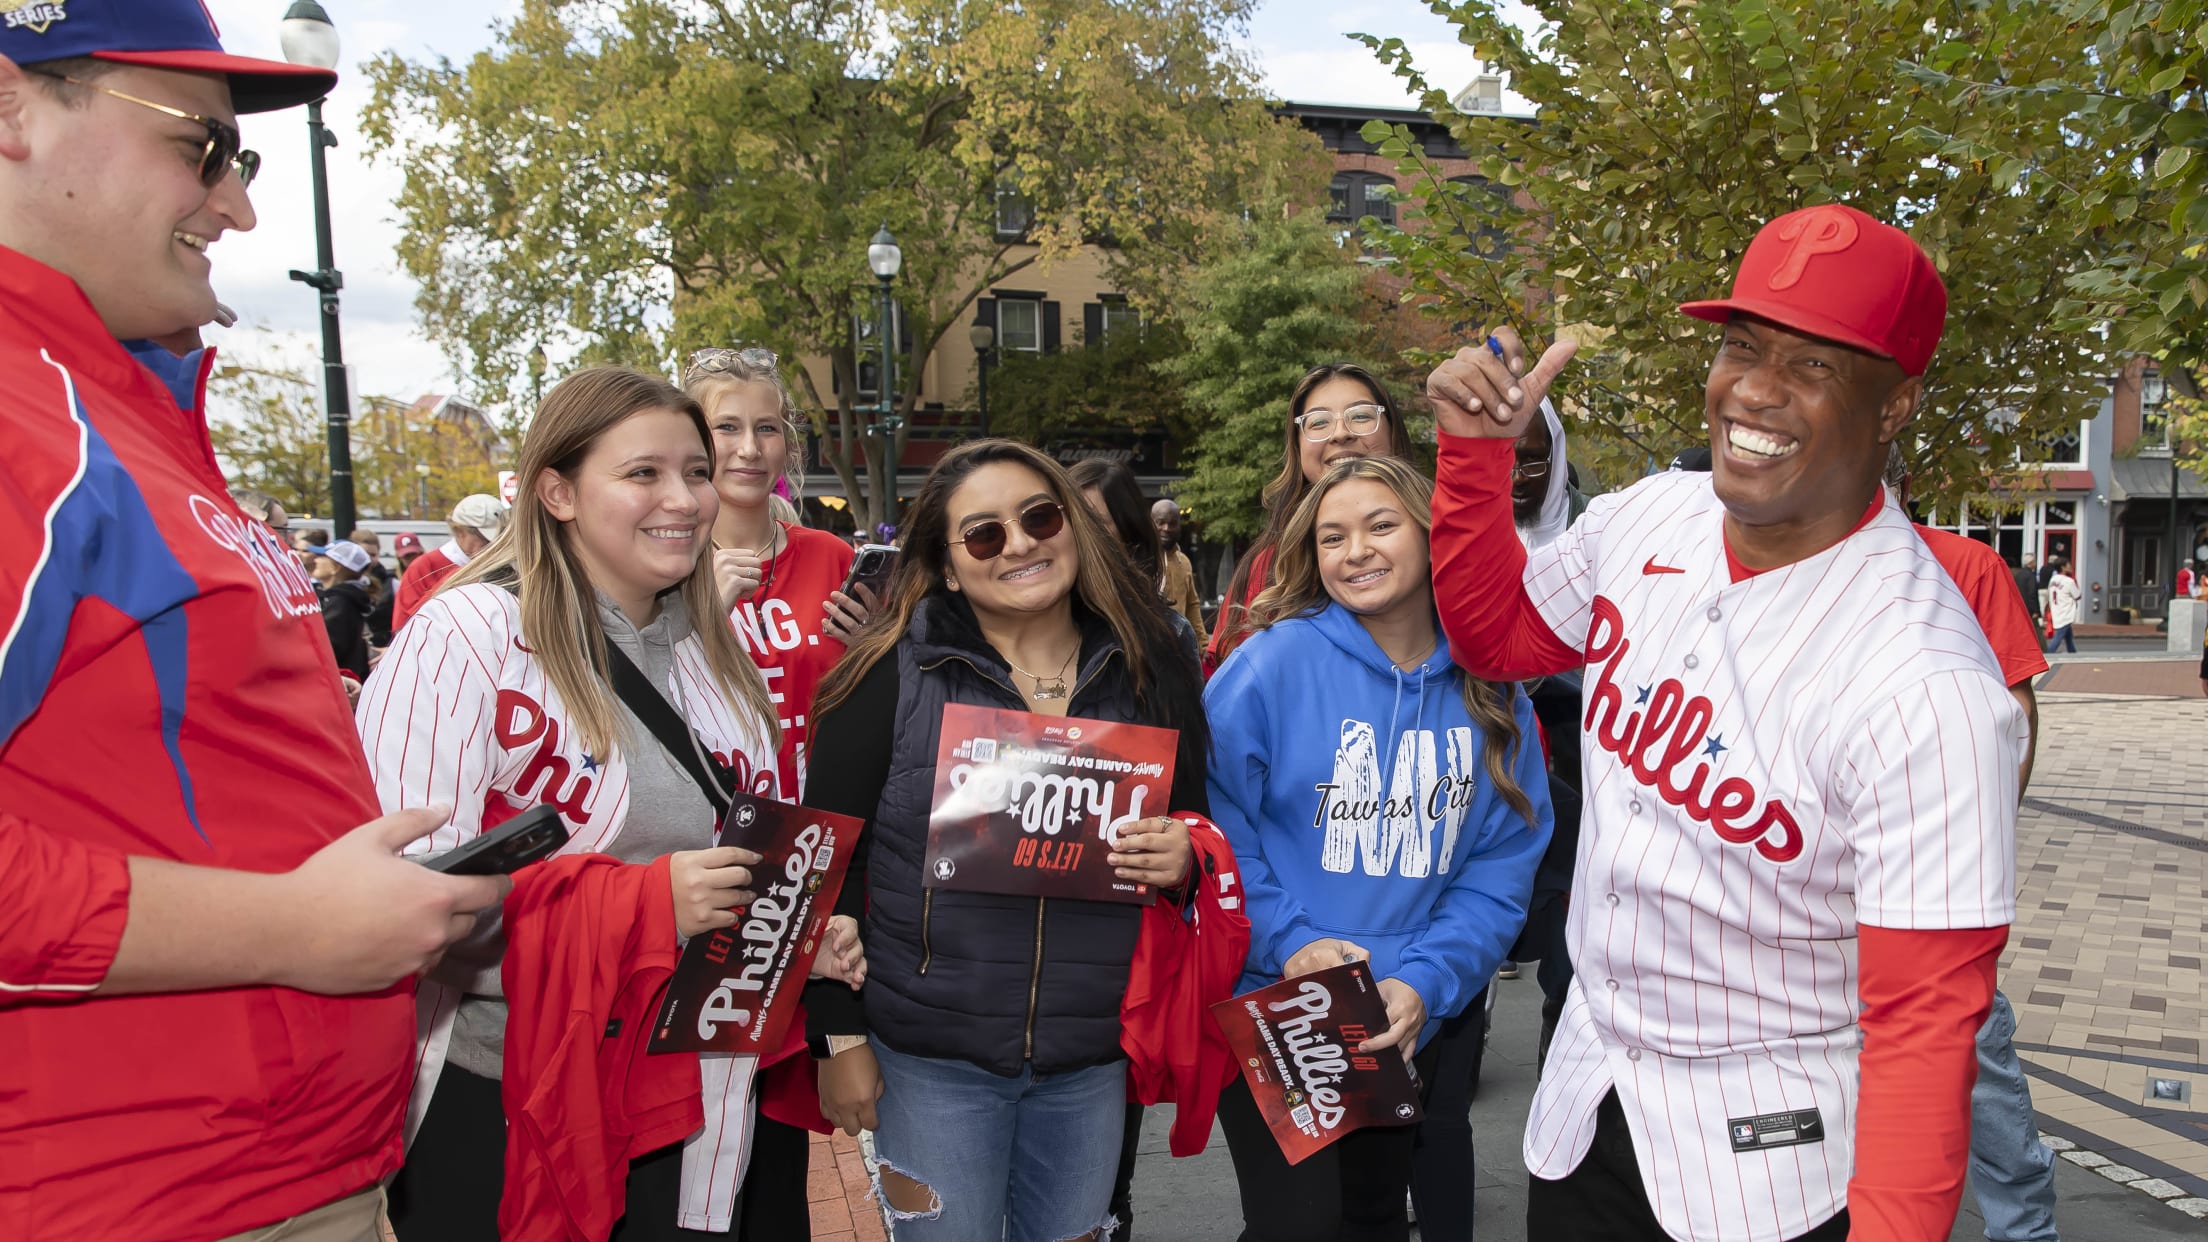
(158, 34)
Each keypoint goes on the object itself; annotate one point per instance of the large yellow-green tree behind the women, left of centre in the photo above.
(652, 176)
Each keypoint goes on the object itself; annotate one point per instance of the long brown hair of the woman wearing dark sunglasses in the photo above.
(1165, 677)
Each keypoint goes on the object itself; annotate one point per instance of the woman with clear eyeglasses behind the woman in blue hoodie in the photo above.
(1337, 412)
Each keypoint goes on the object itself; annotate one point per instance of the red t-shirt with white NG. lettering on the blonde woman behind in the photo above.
(781, 629)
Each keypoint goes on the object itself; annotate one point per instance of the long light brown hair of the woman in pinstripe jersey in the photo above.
(560, 613)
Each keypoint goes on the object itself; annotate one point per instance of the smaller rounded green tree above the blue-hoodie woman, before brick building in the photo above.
(1277, 297)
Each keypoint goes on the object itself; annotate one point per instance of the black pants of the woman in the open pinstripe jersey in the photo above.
(449, 1188)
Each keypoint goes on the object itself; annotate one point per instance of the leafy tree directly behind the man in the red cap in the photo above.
(1670, 131)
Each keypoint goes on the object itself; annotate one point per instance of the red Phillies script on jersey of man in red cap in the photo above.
(1655, 741)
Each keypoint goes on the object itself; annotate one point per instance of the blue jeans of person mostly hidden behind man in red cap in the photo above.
(2010, 1168)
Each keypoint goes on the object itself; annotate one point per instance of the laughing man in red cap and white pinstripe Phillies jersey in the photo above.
(1801, 772)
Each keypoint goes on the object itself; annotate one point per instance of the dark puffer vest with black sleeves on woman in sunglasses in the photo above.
(977, 978)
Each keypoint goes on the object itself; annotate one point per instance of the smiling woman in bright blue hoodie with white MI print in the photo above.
(1383, 806)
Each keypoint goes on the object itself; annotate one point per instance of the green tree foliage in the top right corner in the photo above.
(2134, 92)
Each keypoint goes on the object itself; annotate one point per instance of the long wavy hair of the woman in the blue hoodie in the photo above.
(1299, 591)
